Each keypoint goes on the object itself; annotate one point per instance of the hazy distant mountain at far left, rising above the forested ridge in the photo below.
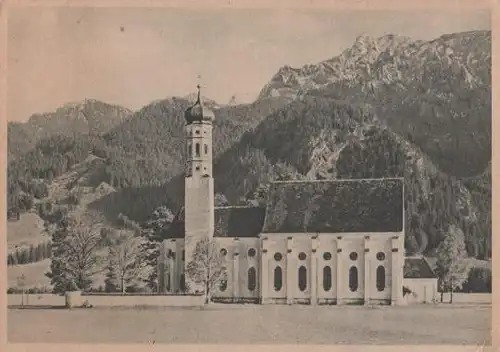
(88, 117)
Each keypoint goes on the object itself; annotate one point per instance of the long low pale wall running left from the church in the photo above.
(95, 300)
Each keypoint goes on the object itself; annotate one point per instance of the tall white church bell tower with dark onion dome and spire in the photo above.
(199, 183)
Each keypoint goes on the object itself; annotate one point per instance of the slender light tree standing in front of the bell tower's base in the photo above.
(207, 266)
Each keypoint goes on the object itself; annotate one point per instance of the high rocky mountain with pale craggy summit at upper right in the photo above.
(435, 93)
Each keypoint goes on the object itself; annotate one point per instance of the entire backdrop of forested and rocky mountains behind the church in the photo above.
(386, 107)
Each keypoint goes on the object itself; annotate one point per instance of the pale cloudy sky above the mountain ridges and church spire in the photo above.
(132, 56)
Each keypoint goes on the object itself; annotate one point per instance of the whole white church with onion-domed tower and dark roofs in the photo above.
(315, 242)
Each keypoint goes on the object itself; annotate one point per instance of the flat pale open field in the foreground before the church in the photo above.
(226, 324)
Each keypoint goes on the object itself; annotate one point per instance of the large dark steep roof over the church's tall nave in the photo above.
(335, 206)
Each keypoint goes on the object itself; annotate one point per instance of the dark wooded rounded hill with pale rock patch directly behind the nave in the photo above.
(336, 140)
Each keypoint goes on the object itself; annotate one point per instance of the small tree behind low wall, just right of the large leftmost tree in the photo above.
(124, 258)
